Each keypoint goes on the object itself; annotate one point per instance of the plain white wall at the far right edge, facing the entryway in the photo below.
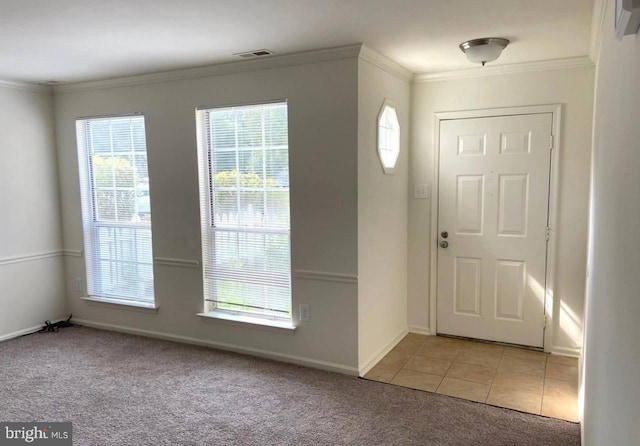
(612, 351)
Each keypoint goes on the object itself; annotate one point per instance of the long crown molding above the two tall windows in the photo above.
(279, 61)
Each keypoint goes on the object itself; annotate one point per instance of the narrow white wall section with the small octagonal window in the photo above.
(382, 218)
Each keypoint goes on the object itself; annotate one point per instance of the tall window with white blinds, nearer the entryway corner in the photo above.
(244, 199)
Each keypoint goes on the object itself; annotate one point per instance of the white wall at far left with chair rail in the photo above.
(31, 267)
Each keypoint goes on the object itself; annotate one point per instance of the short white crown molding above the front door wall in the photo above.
(525, 67)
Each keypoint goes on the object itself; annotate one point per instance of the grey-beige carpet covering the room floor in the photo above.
(119, 390)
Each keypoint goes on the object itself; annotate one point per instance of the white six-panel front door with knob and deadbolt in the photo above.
(493, 205)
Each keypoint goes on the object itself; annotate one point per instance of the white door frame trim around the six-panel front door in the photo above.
(550, 304)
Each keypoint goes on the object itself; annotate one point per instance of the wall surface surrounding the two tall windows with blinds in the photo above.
(323, 119)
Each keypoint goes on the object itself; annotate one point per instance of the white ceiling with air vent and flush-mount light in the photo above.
(77, 40)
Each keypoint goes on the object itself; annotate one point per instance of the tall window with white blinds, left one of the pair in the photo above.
(116, 215)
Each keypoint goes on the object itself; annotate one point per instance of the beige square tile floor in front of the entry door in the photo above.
(514, 378)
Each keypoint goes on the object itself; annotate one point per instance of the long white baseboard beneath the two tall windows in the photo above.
(267, 354)
